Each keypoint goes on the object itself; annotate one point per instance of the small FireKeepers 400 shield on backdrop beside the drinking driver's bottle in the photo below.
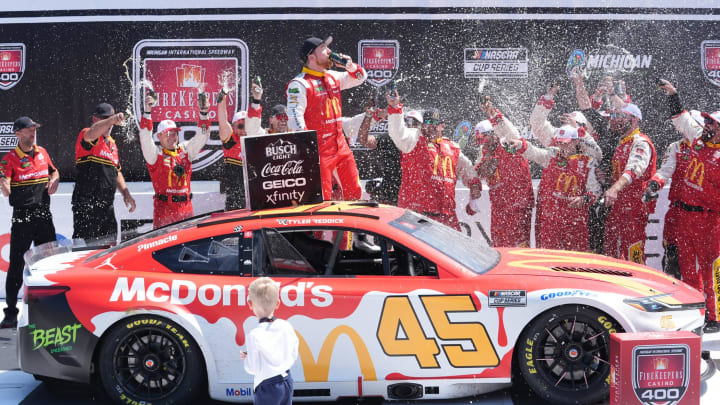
(380, 58)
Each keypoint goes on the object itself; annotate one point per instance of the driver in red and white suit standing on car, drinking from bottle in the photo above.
(314, 103)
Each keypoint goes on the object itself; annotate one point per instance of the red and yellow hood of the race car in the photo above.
(591, 271)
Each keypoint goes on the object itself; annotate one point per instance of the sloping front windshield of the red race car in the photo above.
(454, 244)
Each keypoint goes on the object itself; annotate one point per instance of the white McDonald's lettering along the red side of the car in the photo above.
(186, 292)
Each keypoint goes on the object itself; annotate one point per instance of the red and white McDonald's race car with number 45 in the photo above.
(421, 312)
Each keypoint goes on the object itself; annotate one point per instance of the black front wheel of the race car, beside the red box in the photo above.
(564, 354)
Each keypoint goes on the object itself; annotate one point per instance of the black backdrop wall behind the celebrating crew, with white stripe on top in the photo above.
(71, 66)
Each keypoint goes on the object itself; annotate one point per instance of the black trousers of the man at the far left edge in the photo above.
(28, 225)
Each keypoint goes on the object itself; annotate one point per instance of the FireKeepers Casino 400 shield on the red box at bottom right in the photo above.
(661, 373)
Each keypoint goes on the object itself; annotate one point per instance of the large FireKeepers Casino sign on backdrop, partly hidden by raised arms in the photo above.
(175, 71)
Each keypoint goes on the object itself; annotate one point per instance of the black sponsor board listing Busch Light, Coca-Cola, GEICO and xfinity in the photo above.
(282, 170)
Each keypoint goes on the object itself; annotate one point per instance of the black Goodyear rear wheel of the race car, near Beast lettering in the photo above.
(149, 358)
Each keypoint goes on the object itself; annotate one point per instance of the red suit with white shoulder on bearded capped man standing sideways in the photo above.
(624, 235)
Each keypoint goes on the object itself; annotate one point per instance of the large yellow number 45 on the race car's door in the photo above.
(398, 314)
